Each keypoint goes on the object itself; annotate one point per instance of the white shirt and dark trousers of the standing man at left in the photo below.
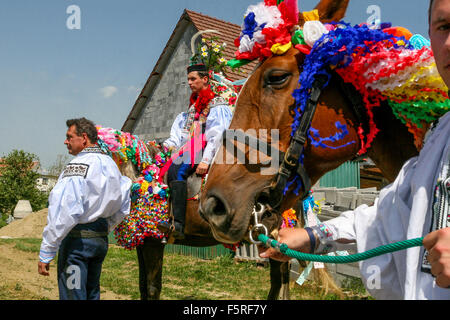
(90, 198)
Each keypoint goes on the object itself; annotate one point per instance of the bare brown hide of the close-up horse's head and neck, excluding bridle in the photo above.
(266, 102)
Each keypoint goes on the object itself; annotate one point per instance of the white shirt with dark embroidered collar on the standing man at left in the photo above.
(90, 187)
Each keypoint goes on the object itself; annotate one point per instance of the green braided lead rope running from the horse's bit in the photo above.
(392, 247)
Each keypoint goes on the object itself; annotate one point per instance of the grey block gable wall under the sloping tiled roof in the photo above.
(170, 96)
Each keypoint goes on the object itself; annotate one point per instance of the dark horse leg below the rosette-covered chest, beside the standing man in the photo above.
(150, 258)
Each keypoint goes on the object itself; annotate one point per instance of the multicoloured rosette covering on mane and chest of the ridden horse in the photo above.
(149, 195)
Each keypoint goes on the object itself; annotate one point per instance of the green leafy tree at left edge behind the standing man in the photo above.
(18, 180)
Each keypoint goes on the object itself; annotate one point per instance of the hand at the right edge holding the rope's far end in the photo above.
(438, 245)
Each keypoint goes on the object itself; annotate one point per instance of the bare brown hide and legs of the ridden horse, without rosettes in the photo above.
(197, 234)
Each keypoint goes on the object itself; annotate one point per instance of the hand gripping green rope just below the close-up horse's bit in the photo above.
(296, 239)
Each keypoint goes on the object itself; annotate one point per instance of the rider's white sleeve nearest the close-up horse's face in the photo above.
(218, 121)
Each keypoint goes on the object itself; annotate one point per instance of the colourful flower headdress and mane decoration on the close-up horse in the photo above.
(383, 63)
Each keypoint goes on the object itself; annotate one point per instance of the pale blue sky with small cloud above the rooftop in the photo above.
(51, 72)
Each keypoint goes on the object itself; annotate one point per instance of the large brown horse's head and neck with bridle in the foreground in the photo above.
(235, 192)
